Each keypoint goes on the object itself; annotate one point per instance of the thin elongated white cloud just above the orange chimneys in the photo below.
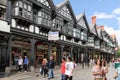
(103, 15)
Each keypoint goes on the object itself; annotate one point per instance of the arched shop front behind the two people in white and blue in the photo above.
(19, 47)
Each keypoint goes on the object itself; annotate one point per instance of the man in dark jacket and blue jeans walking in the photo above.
(51, 64)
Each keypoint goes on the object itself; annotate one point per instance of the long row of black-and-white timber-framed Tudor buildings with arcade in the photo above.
(25, 25)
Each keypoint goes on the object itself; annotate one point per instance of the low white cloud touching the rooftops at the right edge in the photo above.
(112, 31)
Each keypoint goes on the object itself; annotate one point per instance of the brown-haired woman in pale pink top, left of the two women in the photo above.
(97, 70)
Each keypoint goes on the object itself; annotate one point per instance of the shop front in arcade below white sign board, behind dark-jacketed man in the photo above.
(43, 51)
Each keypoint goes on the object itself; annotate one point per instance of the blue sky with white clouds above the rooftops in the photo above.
(106, 11)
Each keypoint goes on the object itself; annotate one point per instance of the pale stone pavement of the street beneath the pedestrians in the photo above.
(79, 74)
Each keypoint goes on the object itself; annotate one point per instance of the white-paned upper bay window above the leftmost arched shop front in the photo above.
(23, 9)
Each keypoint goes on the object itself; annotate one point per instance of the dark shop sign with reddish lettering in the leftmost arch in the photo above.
(20, 44)
